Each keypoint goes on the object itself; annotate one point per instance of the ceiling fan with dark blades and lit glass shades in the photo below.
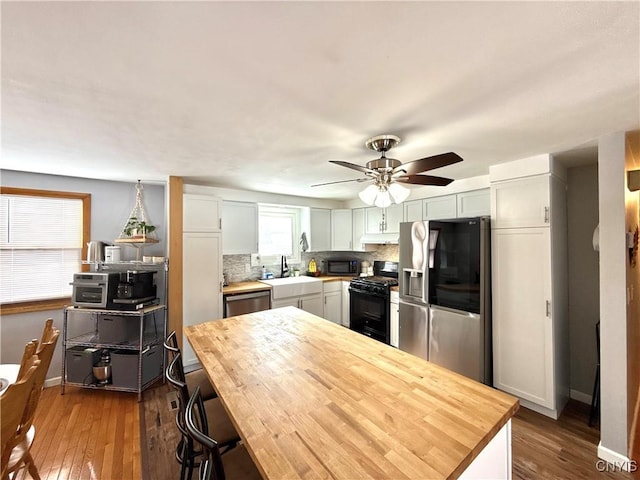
(388, 173)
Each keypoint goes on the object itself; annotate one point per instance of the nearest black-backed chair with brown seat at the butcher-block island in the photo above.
(235, 464)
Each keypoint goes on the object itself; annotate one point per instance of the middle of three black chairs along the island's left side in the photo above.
(186, 453)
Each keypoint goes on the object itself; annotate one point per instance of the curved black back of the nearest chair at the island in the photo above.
(211, 466)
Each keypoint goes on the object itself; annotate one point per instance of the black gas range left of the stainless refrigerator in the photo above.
(369, 310)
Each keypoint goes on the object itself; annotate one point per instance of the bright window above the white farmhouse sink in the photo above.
(279, 233)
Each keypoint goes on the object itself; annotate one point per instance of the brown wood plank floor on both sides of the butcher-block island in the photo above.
(97, 435)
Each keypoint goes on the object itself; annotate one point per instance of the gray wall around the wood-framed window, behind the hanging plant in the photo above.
(111, 203)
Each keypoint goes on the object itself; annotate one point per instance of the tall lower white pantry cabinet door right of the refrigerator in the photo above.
(523, 355)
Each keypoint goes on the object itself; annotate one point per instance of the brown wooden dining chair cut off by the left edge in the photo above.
(12, 405)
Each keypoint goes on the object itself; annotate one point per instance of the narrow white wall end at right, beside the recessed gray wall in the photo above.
(613, 316)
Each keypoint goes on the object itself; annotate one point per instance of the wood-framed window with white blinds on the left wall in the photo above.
(42, 242)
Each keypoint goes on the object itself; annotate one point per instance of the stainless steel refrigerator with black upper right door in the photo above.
(445, 294)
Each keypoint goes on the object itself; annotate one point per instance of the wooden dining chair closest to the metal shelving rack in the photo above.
(20, 455)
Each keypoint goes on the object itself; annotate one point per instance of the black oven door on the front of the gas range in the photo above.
(369, 314)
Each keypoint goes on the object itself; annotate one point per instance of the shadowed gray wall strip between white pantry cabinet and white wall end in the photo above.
(584, 295)
